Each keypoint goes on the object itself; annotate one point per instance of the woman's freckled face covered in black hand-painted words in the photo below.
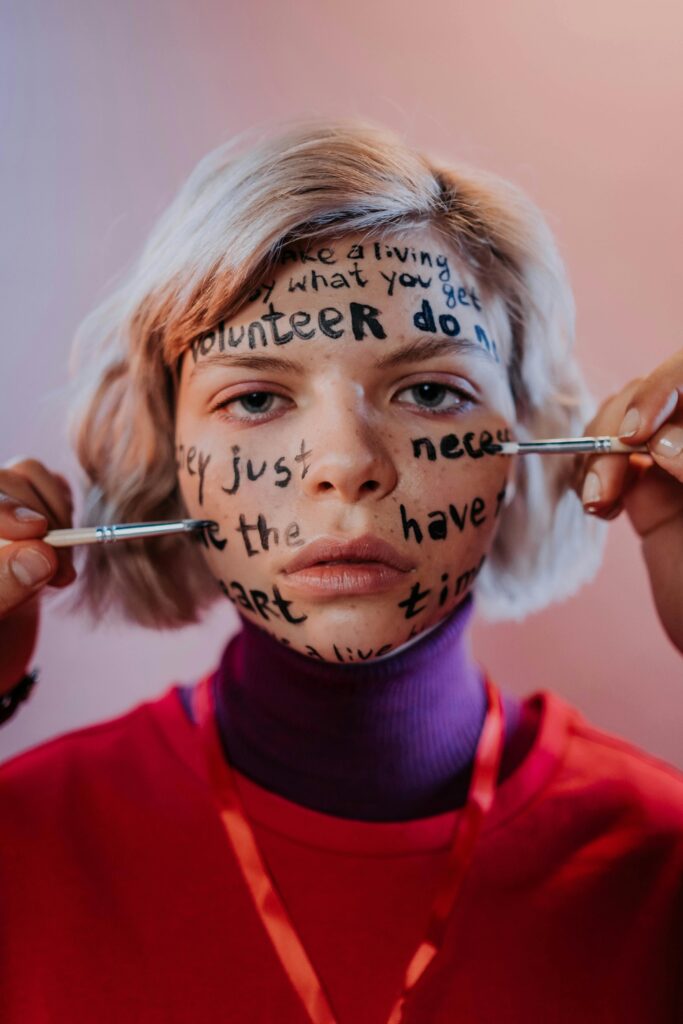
(354, 401)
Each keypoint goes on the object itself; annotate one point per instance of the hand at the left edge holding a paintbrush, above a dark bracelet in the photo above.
(27, 484)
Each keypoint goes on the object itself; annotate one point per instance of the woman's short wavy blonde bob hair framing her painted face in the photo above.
(315, 180)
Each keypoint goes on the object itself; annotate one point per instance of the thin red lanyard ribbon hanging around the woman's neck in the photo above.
(264, 890)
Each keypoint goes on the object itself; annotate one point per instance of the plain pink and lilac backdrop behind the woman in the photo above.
(107, 107)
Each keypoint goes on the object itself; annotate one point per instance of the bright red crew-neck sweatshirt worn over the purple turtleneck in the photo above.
(121, 900)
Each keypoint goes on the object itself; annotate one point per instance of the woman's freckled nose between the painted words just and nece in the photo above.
(350, 459)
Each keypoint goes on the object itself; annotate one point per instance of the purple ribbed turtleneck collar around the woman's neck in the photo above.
(390, 740)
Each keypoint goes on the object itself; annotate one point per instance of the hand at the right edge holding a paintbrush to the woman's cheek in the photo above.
(649, 411)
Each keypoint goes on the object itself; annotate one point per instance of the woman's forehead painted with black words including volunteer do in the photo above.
(328, 295)
